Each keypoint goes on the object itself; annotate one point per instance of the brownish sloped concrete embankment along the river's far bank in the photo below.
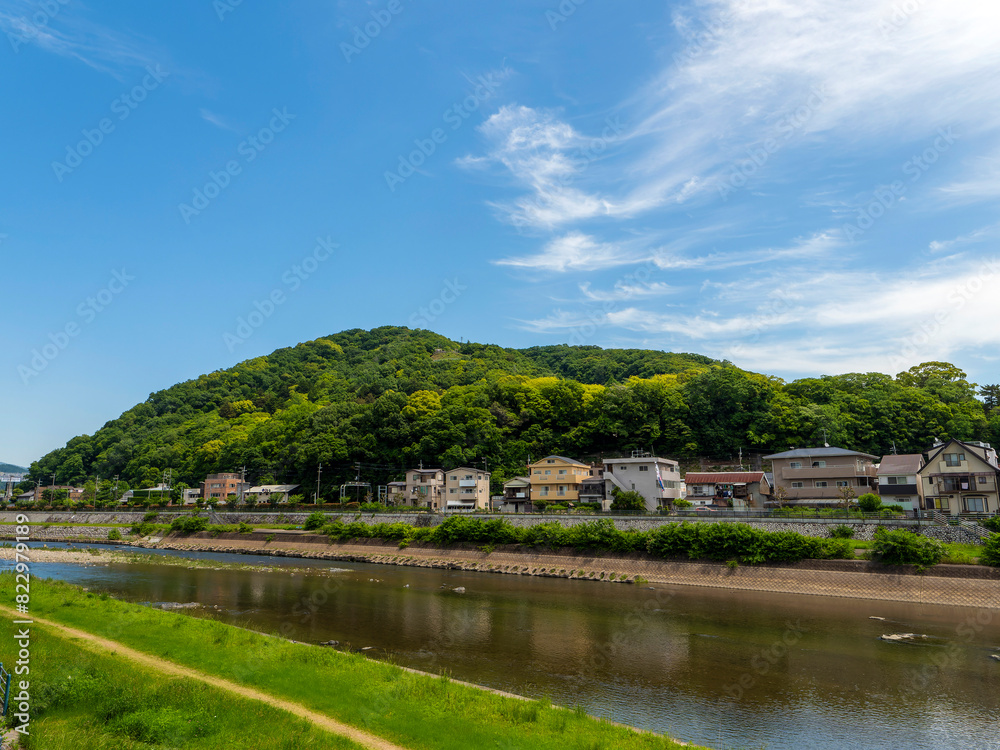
(958, 585)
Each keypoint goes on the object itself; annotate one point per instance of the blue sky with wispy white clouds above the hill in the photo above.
(801, 187)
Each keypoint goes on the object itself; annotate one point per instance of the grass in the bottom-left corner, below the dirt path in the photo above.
(84, 700)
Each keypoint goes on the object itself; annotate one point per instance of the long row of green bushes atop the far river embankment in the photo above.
(703, 541)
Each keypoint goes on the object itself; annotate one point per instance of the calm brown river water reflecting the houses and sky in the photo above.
(727, 669)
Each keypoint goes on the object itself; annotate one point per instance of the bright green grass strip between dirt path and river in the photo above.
(416, 711)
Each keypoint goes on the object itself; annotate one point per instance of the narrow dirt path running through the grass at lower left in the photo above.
(167, 667)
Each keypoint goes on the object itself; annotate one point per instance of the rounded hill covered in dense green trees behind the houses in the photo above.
(391, 397)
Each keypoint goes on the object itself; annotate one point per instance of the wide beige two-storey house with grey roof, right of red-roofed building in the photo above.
(817, 476)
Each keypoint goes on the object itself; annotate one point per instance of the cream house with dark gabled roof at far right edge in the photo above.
(961, 477)
